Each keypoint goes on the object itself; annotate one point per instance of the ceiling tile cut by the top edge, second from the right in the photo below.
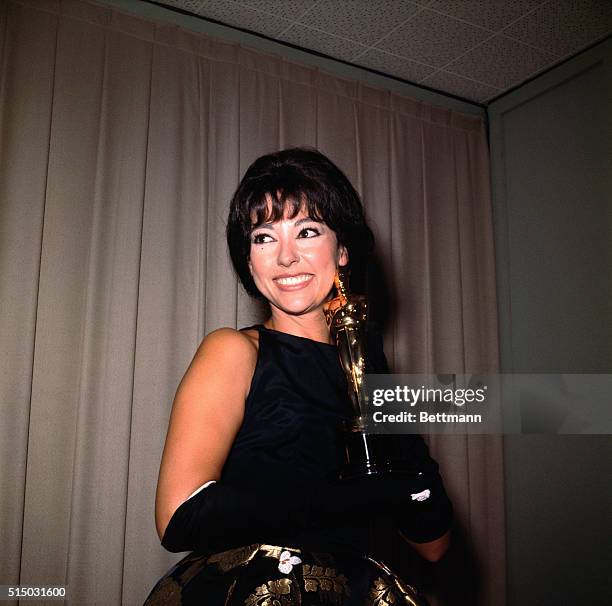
(492, 14)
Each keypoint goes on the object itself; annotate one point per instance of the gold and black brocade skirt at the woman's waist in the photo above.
(269, 575)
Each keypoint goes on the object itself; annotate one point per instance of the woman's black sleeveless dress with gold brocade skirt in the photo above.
(289, 439)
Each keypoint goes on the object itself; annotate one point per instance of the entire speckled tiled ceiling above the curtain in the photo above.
(472, 49)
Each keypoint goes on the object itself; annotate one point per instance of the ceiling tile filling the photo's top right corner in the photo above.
(565, 26)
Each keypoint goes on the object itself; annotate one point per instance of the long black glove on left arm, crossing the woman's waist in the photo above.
(221, 516)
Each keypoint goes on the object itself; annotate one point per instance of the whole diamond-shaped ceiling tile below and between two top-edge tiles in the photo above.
(414, 40)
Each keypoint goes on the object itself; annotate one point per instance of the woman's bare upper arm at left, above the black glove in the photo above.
(207, 412)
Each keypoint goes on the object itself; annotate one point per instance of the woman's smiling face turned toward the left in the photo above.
(293, 262)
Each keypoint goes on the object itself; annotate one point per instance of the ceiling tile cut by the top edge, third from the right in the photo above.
(364, 21)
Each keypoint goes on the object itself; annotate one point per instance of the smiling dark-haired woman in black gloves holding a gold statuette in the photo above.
(247, 479)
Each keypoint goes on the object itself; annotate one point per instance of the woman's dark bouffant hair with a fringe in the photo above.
(294, 178)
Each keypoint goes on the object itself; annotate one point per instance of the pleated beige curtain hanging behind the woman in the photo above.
(121, 142)
